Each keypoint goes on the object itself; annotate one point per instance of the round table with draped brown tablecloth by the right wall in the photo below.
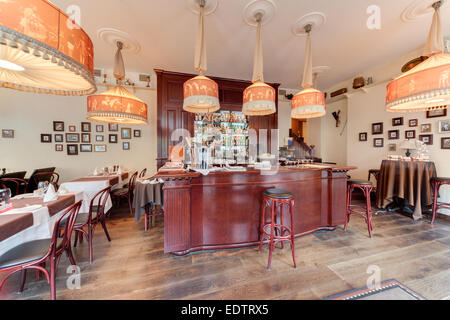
(409, 180)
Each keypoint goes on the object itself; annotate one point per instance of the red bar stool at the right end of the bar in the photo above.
(366, 187)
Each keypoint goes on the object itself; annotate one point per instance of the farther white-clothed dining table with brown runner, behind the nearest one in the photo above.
(91, 185)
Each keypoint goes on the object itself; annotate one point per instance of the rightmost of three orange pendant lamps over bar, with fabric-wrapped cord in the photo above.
(310, 102)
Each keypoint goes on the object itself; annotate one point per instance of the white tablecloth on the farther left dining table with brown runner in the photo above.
(90, 189)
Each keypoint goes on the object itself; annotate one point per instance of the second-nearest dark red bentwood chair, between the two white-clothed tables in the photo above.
(89, 220)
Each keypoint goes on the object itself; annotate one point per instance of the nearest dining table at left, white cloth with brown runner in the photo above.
(30, 218)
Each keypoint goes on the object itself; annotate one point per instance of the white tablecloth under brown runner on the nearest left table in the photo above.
(42, 227)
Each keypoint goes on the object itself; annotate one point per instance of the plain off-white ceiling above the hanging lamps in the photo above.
(165, 29)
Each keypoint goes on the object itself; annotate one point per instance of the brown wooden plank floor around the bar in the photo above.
(133, 265)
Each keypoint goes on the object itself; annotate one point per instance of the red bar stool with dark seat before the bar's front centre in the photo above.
(277, 232)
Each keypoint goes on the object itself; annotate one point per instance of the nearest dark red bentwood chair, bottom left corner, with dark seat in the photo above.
(34, 254)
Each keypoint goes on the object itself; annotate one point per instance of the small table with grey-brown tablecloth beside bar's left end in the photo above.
(146, 194)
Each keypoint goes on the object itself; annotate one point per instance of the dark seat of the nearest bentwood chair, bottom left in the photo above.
(26, 252)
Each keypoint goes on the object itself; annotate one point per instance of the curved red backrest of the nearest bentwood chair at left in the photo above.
(70, 216)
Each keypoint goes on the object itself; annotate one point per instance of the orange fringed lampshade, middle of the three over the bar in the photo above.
(259, 100)
